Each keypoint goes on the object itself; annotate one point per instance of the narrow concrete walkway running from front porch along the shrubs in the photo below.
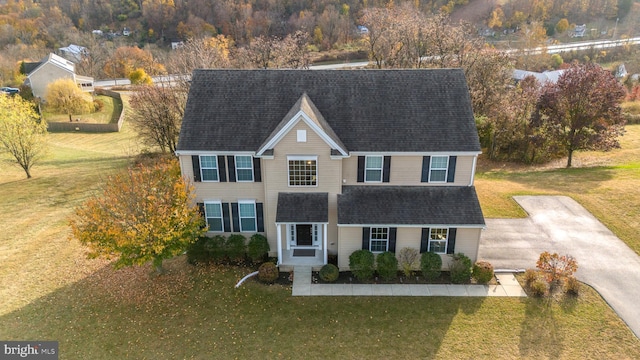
(302, 286)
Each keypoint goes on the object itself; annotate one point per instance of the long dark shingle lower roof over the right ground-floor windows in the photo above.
(409, 205)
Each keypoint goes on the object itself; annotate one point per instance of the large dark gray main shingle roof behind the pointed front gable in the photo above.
(369, 110)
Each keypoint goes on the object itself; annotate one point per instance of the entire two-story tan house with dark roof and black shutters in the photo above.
(329, 162)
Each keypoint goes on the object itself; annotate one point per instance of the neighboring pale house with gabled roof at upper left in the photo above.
(52, 68)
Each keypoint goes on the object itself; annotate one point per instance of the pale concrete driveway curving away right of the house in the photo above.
(559, 224)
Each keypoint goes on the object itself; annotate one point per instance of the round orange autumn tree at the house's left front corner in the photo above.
(144, 214)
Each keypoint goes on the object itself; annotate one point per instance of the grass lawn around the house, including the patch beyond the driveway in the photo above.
(50, 291)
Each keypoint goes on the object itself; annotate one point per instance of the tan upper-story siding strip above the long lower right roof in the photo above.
(407, 170)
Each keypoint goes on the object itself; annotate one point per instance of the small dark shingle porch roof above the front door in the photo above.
(303, 207)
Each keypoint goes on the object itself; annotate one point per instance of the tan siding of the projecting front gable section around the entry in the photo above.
(276, 179)
